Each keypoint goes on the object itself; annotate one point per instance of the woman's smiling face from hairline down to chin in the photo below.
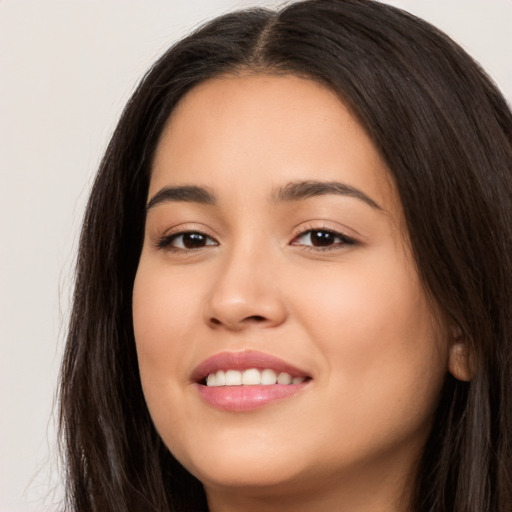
(275, 241)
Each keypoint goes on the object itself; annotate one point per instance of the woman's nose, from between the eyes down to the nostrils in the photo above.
(245, 294)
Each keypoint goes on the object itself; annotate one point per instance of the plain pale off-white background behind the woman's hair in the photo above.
(66, 70)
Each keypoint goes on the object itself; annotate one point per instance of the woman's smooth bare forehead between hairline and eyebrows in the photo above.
(257, 131)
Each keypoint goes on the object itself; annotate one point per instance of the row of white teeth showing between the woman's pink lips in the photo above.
(251, 377)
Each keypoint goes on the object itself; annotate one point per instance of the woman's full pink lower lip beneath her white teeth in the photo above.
(246, 398)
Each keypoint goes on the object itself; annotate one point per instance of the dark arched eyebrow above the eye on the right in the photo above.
(300, 190)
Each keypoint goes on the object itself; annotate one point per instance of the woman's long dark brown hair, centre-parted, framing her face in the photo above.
(445, 133)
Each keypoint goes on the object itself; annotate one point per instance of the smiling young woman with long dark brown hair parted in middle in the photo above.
(294, 274)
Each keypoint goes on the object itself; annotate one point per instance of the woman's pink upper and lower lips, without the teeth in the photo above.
(245, 398)
